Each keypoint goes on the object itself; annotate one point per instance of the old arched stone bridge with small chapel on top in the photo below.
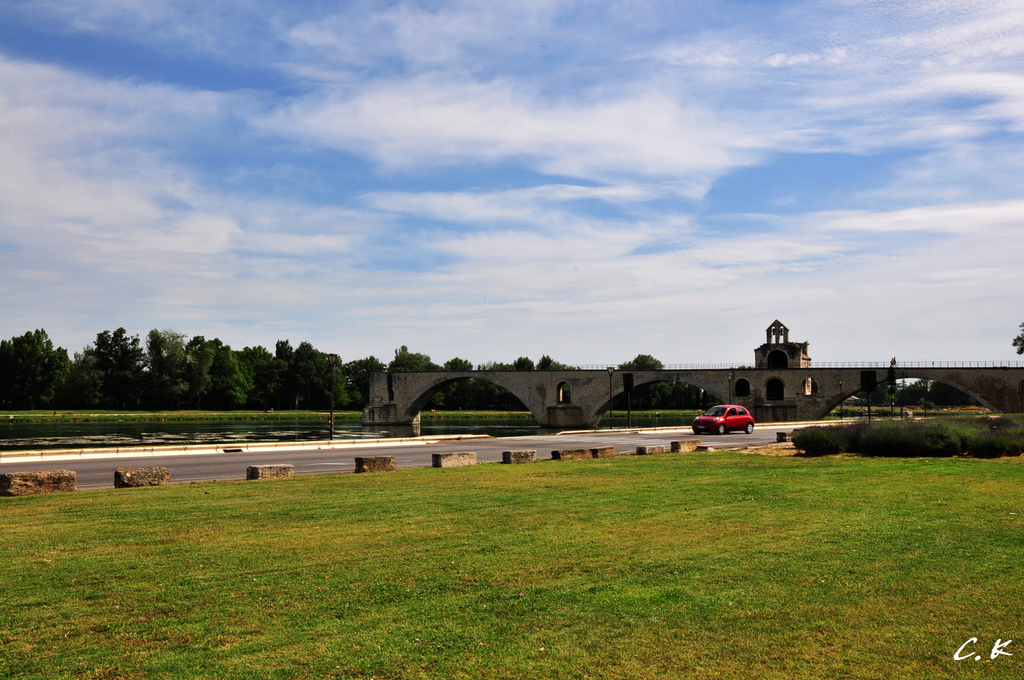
(781, 387)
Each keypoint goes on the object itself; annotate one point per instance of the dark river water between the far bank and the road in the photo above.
(24, 436)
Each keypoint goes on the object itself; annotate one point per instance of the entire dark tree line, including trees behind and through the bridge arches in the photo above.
(167, 370)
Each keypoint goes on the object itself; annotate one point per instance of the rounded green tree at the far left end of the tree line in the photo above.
(32, 371)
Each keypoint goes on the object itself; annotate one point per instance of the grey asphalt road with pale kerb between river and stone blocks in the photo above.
(196, 467)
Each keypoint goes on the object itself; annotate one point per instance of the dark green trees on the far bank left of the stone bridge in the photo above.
(170, 371)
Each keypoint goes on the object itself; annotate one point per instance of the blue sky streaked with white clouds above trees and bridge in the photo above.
(589, 181)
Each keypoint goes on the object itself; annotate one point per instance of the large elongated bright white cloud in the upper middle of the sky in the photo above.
(432, 121)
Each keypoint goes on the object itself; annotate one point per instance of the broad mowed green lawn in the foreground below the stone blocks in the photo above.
(678, 566)
